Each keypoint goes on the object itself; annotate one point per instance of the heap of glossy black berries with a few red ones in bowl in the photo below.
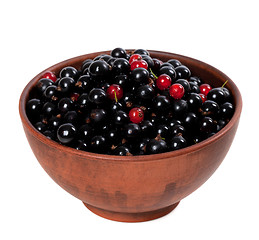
(128, 103)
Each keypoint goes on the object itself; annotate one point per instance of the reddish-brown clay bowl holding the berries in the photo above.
(134, 188)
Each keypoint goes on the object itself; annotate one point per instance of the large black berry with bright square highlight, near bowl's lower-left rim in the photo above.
(66, 133)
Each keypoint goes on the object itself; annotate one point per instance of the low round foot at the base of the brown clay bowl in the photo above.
(131, 217)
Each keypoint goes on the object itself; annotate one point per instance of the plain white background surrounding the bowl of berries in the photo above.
(38, 34)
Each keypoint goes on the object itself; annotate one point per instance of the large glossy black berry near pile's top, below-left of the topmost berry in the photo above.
(99, 69)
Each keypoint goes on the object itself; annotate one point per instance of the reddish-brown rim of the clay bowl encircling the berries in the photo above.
(135, 158)
